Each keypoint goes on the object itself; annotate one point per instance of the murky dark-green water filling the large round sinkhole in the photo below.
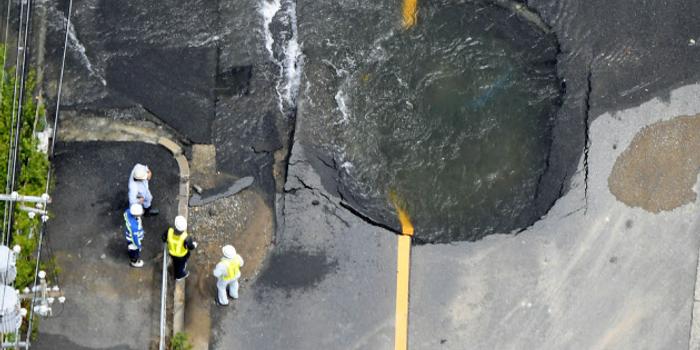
(455, 116)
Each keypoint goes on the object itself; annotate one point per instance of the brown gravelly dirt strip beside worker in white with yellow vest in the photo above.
(243, 220)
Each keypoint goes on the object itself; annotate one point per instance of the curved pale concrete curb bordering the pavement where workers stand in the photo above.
(105, 129)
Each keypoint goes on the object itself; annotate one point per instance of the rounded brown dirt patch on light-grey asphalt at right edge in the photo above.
(658, 170)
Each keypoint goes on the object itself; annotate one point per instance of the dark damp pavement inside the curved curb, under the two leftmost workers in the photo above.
(109, 305)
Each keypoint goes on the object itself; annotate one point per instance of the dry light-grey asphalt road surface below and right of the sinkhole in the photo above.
(593, 274)
